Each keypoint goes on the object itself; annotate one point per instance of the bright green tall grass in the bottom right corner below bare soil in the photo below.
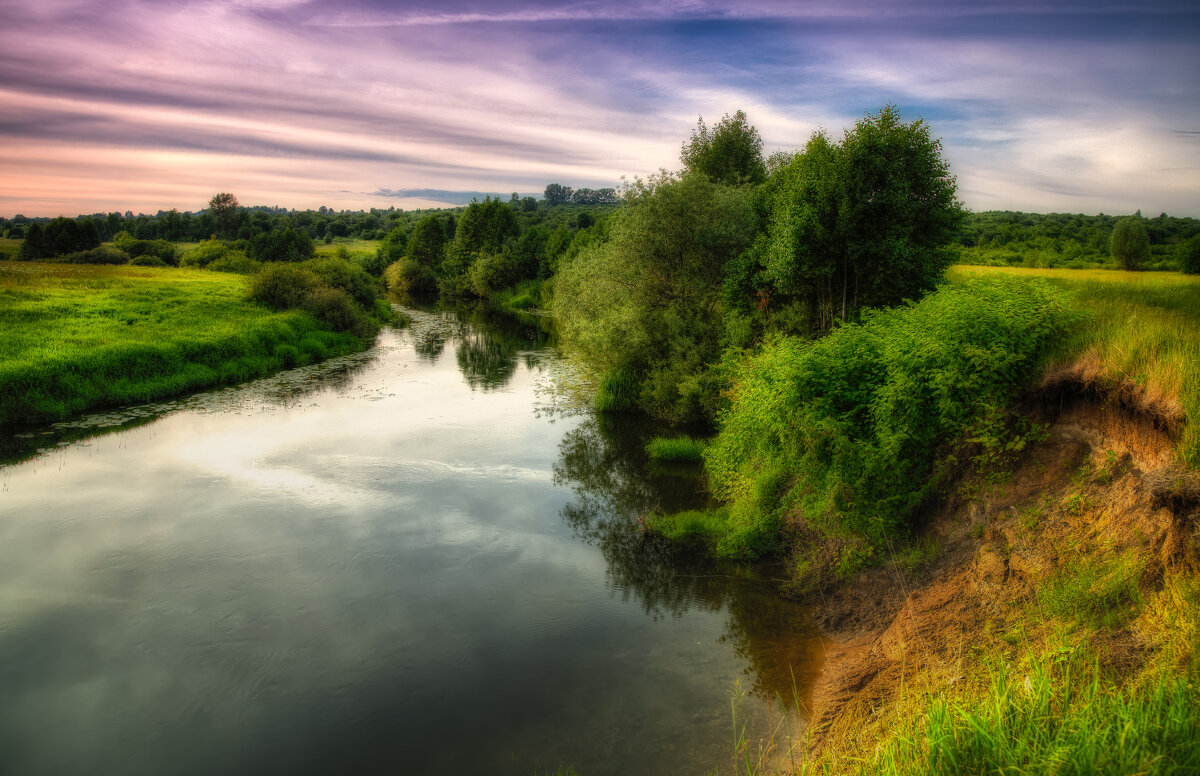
(1058, 717)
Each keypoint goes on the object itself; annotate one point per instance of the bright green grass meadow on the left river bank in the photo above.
(81, 336)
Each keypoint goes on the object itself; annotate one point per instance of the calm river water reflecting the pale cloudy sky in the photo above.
(406, 562)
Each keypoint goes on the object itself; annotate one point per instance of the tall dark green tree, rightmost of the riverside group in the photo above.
(866, 222)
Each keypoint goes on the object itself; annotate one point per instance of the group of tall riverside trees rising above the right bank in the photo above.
(715, 257)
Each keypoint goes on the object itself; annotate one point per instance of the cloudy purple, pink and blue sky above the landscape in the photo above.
(1087, 106)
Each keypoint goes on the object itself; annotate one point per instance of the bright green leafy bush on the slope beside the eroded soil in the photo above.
(849, 430)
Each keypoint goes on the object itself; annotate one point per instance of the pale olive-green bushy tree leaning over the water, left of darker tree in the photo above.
(646, 303)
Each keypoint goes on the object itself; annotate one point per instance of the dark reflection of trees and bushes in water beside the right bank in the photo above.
(605, 464)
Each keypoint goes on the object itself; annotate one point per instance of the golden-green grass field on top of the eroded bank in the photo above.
(1142, 329)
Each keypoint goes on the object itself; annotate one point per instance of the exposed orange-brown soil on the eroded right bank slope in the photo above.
(1105, 482)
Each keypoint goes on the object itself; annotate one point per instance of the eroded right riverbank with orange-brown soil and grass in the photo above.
(1046, 618)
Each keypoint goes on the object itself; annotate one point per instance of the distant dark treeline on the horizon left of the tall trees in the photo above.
(323, 225)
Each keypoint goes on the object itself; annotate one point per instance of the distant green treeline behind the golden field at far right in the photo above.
(1071, 240)
